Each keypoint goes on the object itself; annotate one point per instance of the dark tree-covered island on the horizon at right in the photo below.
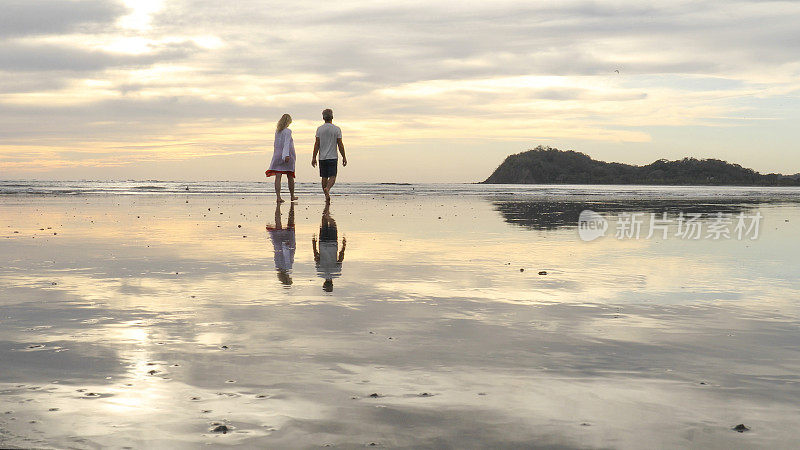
(546, 165)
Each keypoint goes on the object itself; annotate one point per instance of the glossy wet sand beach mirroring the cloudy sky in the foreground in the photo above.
(151, 321)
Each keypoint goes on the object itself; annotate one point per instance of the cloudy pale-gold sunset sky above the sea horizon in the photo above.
(424, 91)
